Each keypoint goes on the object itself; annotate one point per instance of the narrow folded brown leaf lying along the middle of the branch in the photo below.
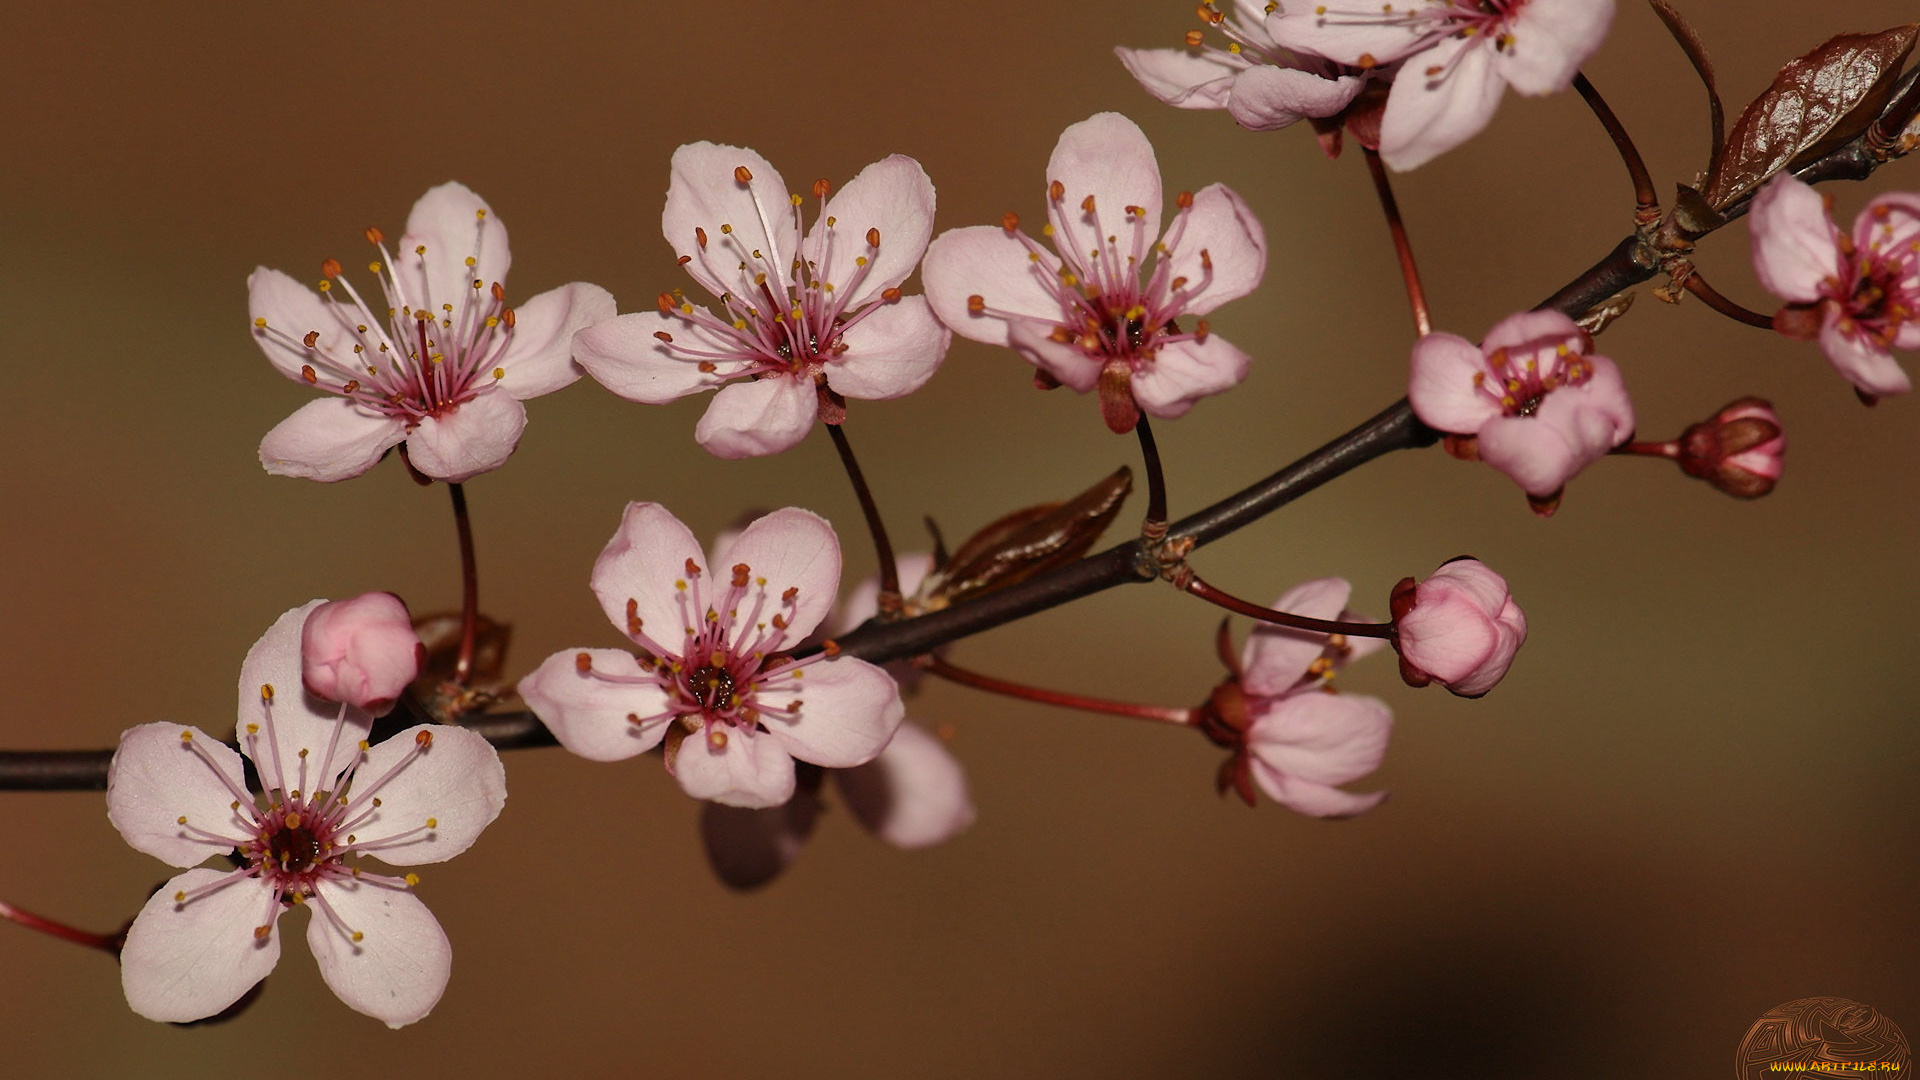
(1026, 543)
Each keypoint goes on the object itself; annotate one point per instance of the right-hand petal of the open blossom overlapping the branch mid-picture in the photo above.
(848, 714)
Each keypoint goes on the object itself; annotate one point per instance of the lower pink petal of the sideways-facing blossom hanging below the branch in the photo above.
(1308, 743)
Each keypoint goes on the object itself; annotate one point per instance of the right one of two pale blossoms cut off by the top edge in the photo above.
(1456, 59)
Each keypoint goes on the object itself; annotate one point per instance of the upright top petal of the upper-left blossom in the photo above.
(452, 224)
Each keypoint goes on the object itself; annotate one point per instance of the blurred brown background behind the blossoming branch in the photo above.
(1694, 798)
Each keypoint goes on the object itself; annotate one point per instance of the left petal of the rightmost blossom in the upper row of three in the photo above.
(997, 266)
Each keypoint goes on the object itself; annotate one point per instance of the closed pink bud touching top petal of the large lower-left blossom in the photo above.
(362, 650)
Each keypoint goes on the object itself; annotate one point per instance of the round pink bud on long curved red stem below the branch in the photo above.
(1458, 629)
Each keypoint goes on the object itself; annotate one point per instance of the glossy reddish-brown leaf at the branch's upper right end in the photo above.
(1815, 105)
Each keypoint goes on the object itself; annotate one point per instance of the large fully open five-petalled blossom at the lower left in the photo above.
(210, 935)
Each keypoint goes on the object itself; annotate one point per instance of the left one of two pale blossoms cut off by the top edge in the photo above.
(1262, 86)
